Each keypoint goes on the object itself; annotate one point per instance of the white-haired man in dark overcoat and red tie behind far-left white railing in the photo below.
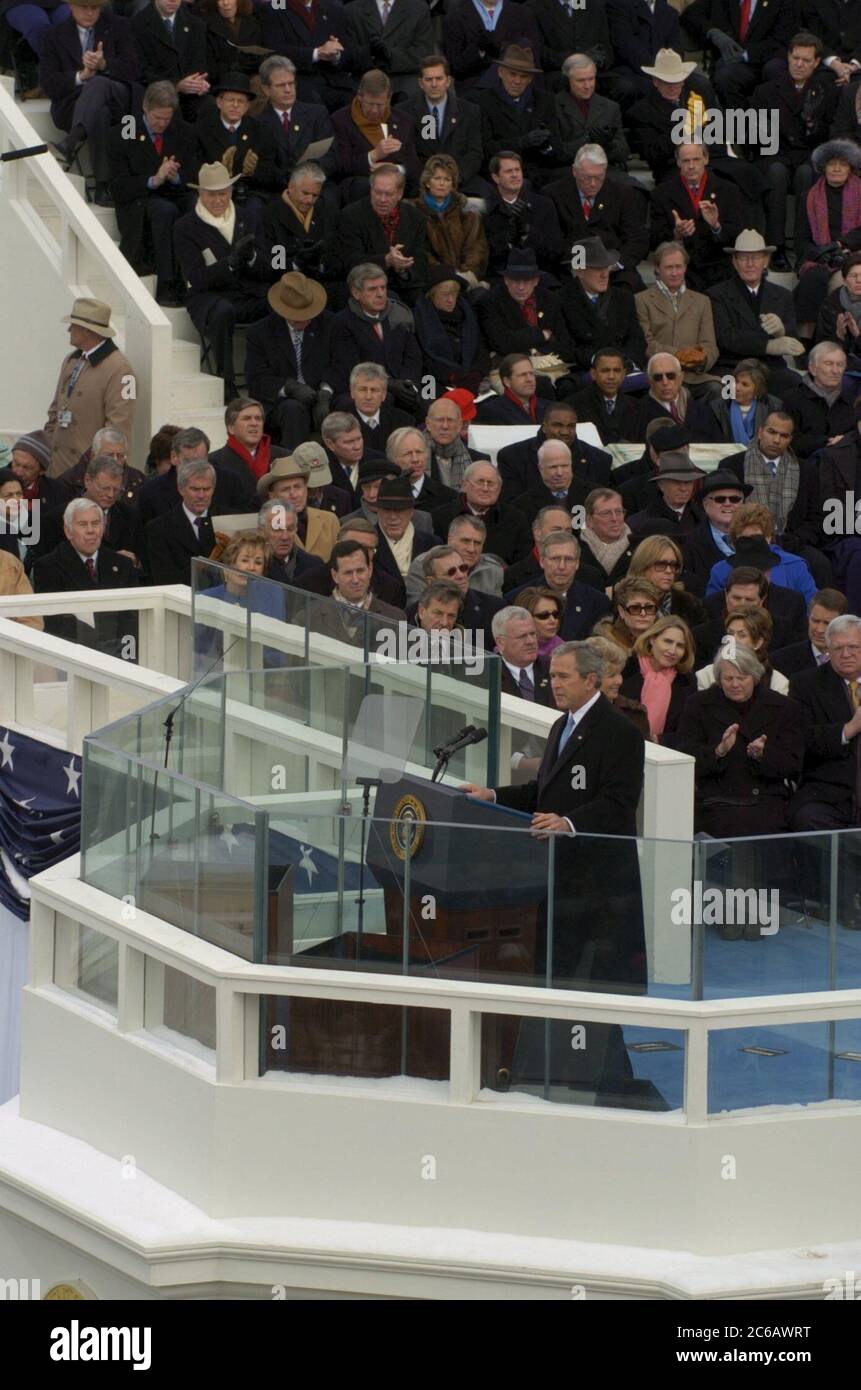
(83, 562)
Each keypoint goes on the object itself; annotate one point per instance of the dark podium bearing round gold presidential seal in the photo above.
(486, 894)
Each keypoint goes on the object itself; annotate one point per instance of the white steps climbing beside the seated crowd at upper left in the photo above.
(197, 398)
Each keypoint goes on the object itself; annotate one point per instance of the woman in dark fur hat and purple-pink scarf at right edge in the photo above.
(832, 224)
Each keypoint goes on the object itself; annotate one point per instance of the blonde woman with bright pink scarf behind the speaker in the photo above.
(661, 679)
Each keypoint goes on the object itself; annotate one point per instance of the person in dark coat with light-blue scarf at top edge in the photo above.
(475, 33)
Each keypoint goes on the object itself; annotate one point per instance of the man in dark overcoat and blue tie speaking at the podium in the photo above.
(589, 786)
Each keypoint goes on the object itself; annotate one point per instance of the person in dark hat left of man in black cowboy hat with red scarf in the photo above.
(449, 333)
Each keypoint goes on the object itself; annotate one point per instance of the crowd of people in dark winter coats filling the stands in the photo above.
(430, 219)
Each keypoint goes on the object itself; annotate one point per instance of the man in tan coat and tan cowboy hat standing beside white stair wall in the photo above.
(95, 389)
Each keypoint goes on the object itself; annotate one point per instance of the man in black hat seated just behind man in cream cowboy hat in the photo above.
(240, 141)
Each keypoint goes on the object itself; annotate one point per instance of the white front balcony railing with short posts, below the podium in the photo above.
(59, 899)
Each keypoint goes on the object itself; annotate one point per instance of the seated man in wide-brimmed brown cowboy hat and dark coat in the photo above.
(287, 357)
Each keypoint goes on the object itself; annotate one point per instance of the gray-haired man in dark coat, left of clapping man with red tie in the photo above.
(590, 205)
